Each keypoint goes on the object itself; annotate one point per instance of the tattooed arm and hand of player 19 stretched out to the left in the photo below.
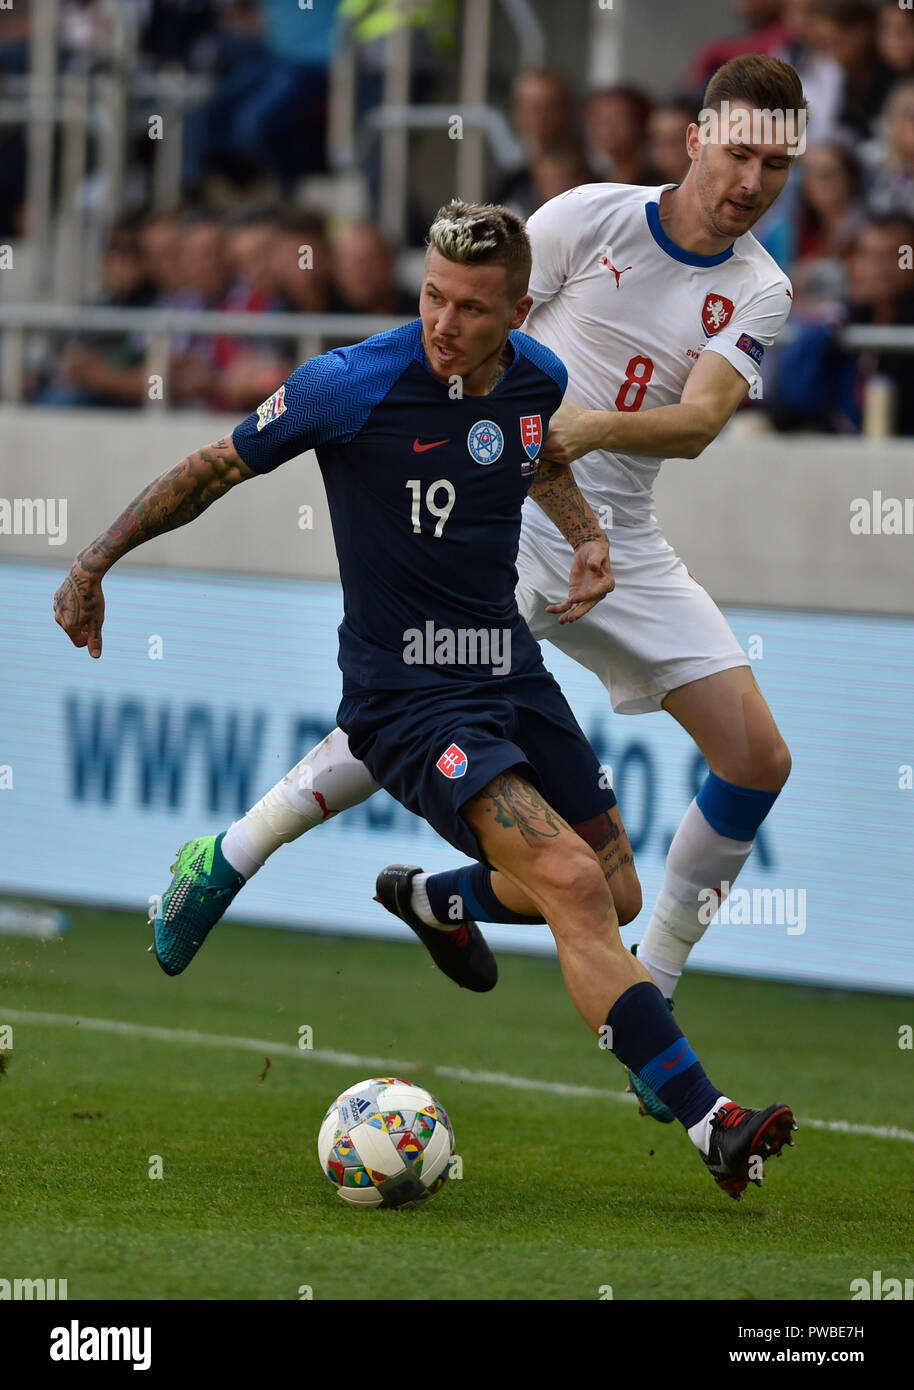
(172, 501)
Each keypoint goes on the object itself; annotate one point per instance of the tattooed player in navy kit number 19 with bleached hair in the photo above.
(445, 694)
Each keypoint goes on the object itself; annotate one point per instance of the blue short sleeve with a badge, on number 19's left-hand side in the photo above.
(316, 405)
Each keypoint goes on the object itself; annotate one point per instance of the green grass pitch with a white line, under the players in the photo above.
(560, 1197)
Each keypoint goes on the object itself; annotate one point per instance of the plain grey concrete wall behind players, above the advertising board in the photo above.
(762, 521)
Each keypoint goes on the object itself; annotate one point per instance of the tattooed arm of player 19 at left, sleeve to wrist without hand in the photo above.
(167, 504)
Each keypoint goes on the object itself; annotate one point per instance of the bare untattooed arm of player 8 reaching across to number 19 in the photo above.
(711, 397)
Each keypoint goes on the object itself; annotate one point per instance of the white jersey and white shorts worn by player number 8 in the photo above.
(630, 313)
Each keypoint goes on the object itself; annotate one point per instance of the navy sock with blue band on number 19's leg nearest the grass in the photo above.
(647, 1039)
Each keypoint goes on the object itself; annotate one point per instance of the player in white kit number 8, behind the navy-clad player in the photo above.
(662, 304)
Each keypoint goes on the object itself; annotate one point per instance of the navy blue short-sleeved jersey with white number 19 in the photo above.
(426, 498)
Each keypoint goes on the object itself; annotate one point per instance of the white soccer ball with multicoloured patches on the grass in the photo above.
(385, 1143)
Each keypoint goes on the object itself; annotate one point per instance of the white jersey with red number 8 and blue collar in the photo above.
(630, 313)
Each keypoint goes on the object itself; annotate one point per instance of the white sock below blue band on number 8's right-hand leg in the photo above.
(699, 861)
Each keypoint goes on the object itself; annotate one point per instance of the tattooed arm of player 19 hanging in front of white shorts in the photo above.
(566, 507)
